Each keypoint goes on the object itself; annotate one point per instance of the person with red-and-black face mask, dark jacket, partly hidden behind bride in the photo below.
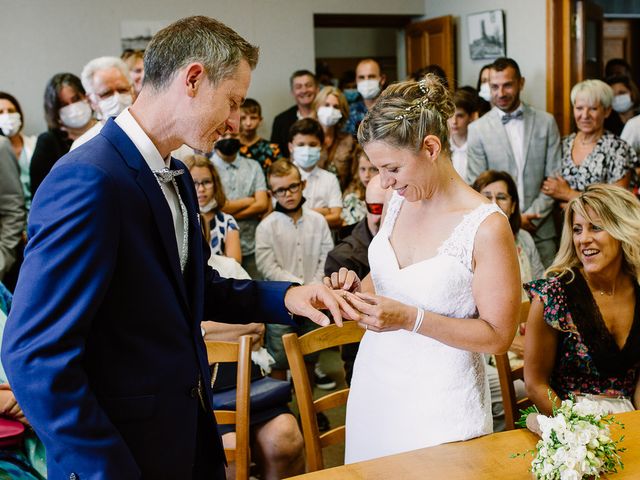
(352, 253)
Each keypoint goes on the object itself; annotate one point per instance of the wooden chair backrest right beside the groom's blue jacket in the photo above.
(241, 353)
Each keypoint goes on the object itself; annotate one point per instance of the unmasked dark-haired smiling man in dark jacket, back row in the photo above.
(304, 88)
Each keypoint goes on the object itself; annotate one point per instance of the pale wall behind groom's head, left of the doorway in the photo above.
(44, 37)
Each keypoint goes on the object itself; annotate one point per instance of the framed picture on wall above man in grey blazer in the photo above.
(486, 35)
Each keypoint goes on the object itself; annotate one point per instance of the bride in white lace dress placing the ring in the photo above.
(444, 287)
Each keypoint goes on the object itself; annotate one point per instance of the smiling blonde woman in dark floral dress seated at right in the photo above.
(583, 335)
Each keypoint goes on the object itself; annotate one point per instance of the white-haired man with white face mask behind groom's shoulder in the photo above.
(109, 90)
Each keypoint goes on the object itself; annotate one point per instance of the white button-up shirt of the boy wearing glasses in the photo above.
(293, 251)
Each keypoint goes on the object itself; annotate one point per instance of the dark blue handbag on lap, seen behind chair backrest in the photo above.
(265, 393)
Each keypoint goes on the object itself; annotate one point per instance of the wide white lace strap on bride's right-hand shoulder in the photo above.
(460, 243)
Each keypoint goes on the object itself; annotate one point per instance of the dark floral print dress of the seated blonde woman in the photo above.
(588, 360)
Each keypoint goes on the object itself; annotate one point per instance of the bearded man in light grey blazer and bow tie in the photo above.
(523, 141)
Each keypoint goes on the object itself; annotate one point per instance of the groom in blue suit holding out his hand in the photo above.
(103, 346)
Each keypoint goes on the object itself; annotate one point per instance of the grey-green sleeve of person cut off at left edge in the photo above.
(12, 207)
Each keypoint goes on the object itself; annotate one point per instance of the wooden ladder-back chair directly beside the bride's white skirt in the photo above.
(296, 348)
